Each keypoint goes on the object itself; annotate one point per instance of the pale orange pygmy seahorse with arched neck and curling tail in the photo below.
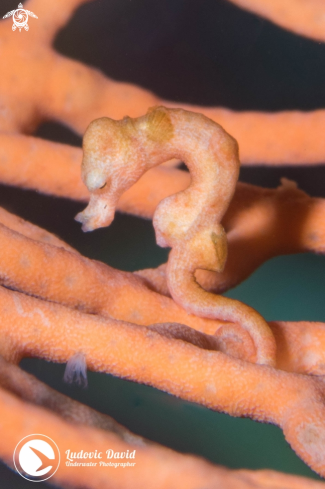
(118, 153)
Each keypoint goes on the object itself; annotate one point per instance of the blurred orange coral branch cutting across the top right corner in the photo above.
(304, 17)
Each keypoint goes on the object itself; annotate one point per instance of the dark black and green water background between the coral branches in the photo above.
(211, 53)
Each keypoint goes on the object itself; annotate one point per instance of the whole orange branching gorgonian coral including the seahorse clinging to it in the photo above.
(167, 327)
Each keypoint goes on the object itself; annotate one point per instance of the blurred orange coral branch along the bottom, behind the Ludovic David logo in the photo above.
(168, 469)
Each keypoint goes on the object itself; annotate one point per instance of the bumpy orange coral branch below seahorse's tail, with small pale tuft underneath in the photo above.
(211, 378)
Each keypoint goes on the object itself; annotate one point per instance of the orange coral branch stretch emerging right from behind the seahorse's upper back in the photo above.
(284, 138)
